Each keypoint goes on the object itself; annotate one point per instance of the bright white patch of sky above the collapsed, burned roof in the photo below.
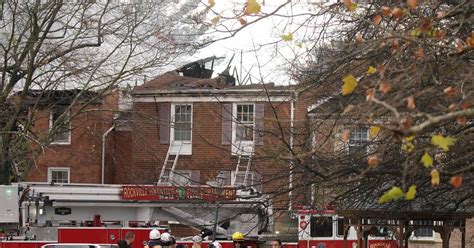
(272, 57)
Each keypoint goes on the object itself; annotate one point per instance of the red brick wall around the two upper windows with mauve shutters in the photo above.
(208, 154)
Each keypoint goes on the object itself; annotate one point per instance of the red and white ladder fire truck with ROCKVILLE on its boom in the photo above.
(34, 214)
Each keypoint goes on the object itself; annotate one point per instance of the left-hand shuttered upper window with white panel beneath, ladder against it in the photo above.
(181, 128)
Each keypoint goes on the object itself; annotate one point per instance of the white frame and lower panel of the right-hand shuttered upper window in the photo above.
(241, 147)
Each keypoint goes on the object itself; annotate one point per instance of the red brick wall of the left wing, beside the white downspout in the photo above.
(83, 155)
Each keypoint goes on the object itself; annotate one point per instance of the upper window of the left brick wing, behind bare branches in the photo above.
(62, 133)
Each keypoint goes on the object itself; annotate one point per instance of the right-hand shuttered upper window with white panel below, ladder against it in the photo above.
(243, 130)
